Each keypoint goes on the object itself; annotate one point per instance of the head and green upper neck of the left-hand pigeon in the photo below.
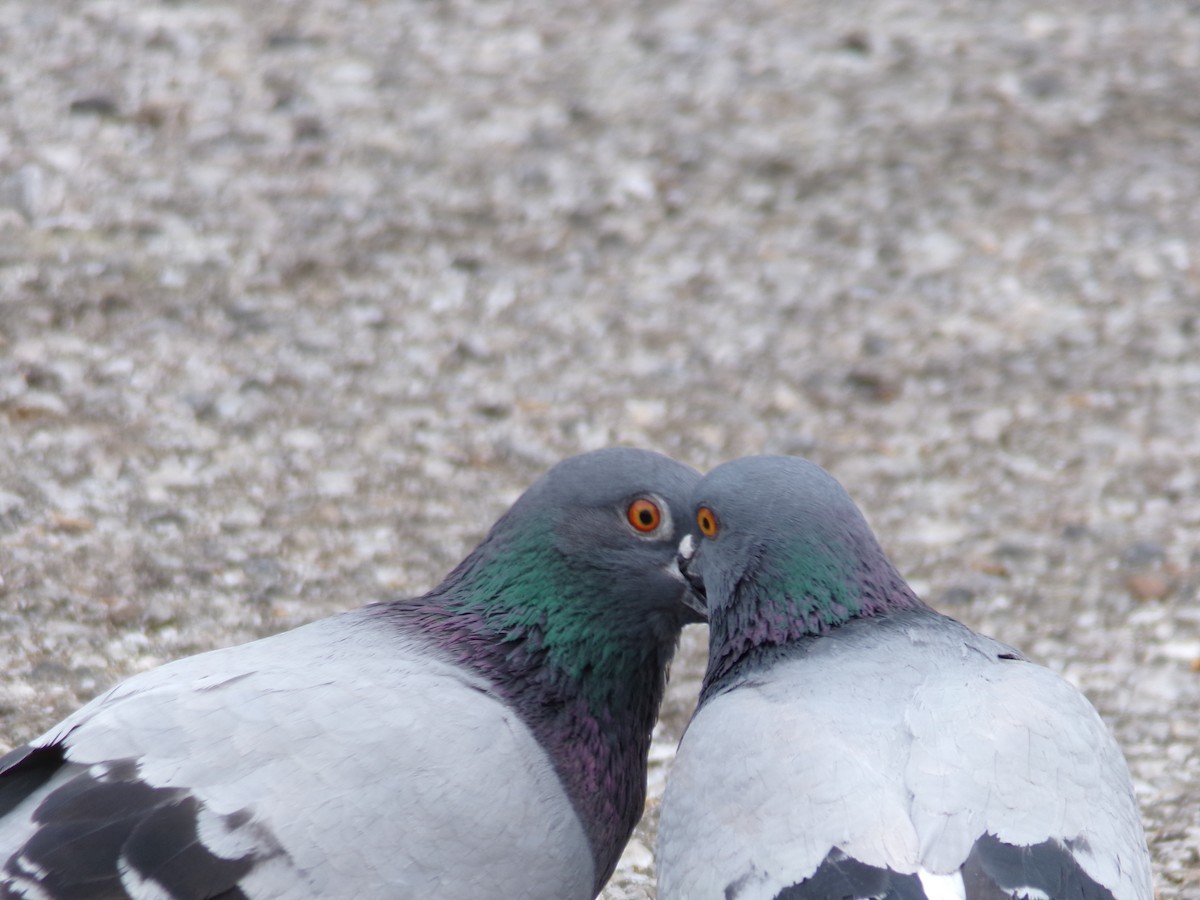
(589, 553)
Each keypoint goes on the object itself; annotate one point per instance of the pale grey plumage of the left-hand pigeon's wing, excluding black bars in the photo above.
(356, 758)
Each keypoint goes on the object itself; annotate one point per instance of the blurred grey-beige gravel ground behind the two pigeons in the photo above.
(297, 297)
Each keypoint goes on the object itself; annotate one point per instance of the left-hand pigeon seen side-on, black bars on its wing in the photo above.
(488, 740)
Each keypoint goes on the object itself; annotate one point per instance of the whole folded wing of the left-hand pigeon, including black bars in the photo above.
(333, 760)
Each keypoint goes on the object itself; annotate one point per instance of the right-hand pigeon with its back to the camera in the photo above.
(850, 742)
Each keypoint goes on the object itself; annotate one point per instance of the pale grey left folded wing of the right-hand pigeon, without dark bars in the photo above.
(758, 796)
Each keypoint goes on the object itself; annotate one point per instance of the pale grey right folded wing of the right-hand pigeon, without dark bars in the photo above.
(1015, 751)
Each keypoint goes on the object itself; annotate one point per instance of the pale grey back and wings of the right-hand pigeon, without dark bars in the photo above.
(901, 746)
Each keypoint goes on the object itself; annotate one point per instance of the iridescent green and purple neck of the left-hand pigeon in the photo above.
(562, 645)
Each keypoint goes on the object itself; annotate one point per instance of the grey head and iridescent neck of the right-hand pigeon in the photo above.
(781, 551)
